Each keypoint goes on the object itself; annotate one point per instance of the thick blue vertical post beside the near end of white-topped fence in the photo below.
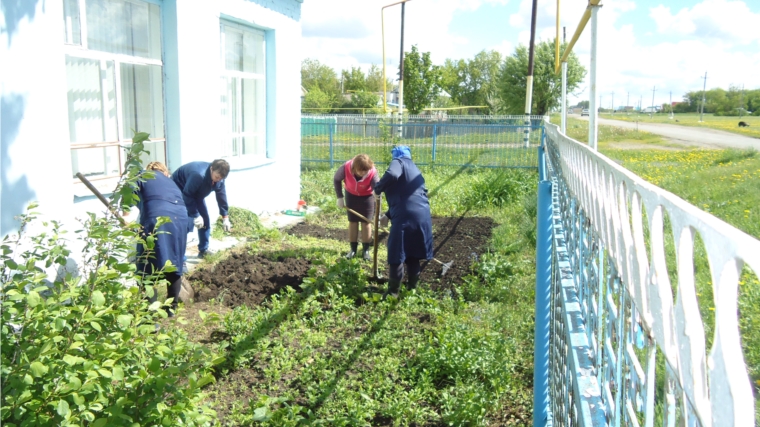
(541, 400)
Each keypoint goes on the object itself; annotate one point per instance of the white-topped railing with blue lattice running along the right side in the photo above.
(626, 342)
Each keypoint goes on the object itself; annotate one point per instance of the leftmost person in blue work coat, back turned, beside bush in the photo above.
(160, 197)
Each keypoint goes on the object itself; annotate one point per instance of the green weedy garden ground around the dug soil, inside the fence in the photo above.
(335, 354)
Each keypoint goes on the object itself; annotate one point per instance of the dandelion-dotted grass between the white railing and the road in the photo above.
(723, 183)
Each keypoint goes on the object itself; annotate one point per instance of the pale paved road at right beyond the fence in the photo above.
(707, 138)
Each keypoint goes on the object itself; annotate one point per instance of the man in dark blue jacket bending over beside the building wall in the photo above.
(197, 180)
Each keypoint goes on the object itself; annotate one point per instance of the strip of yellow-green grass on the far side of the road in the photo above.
(709, 121)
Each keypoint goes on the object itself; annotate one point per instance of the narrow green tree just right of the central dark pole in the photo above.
(422, 80)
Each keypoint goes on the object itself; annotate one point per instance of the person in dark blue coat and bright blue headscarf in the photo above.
(411, 235)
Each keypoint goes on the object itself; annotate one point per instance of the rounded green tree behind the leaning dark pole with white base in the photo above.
(547, 85)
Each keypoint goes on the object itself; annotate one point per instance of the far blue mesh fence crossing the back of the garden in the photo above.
(329, 141)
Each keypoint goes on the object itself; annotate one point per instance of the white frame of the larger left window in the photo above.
(82, 51)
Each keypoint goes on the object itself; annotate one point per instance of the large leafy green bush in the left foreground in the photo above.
(84, 348)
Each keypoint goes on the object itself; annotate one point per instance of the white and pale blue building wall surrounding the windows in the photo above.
(35, 159)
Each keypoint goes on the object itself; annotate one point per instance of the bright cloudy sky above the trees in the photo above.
(645, 48)
